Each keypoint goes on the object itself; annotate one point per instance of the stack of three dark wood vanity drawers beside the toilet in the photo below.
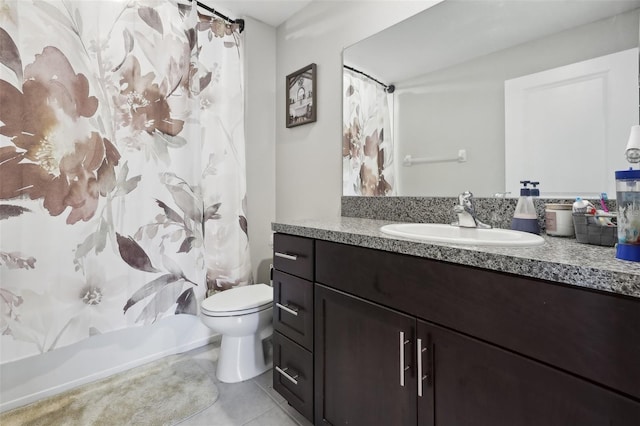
(293, 321)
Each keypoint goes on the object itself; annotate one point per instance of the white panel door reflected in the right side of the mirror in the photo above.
(578, 113)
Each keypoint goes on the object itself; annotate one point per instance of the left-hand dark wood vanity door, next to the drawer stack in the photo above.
(363, 362)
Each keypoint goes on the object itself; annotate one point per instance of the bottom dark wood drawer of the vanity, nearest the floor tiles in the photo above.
(293, 374)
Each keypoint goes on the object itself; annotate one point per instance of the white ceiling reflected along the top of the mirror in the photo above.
(470, 29)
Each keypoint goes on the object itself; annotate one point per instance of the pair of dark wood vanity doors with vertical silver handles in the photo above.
(377, 366)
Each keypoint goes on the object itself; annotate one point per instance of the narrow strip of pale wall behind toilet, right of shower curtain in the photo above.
(260, 134)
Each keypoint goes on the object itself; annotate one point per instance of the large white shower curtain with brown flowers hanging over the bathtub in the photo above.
(122, 181)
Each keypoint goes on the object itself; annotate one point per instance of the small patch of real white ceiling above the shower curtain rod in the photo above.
(272, 12)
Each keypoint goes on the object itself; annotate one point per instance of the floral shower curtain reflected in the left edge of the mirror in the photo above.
(367, 138)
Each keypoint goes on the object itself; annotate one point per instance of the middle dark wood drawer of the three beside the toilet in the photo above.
(293, 308)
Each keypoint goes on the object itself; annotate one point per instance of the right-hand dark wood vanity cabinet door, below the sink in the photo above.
(472, 383)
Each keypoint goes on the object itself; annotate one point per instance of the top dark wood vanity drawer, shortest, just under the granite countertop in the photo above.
(293, 255)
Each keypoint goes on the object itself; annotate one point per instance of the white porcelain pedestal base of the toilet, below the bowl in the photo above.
(241, 358)
